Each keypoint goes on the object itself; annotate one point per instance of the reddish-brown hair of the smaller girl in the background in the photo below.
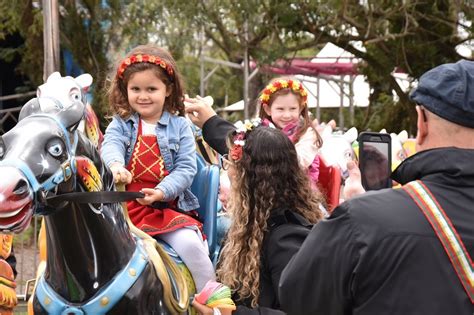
(304, 111)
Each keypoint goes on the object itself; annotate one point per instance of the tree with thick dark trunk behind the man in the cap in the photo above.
(413, 36)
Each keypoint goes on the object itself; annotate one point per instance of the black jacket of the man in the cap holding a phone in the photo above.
(377, 253)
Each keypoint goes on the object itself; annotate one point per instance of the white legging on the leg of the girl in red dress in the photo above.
(188, 244)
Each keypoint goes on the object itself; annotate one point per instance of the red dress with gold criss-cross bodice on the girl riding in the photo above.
(148, 169)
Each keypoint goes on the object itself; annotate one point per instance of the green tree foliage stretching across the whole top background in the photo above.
(412, 36)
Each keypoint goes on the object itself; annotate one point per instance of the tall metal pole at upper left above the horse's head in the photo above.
(50, 37)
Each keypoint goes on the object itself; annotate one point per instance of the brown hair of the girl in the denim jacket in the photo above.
(118, 100)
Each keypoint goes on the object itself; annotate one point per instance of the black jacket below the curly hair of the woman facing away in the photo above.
(286, 232)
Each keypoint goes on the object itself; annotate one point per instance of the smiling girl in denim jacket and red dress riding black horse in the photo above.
(150, 147)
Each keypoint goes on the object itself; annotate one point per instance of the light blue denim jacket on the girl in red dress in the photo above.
(177, 146)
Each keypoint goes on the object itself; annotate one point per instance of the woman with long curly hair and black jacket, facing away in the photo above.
(272, 207)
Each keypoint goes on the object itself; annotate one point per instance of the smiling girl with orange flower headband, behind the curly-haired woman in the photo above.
(283, 102)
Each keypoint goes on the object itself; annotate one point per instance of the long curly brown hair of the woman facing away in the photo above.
(268, 177)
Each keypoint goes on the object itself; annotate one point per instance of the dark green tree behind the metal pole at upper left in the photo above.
(93, 31)
